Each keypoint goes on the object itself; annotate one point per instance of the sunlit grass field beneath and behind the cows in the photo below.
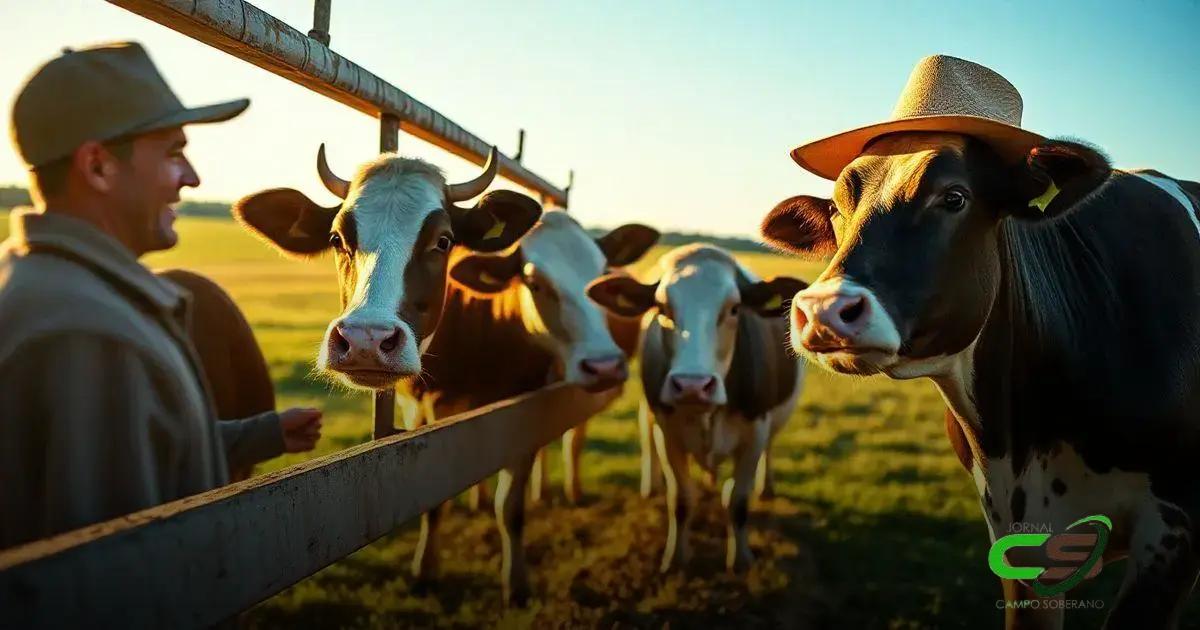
(877, 525)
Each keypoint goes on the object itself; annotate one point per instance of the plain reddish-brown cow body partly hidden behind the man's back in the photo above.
(232, 361)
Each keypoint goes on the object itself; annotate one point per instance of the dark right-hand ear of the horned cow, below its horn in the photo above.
(499, 220)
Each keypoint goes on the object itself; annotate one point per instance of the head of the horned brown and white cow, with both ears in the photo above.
(392, 238)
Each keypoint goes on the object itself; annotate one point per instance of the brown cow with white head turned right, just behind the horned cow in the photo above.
(513, 325)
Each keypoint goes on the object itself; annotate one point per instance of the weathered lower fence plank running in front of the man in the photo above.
(202, 560)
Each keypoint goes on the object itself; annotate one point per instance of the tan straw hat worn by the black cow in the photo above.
(944, 94)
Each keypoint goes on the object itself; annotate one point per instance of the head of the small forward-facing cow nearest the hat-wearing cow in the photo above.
(698, 303)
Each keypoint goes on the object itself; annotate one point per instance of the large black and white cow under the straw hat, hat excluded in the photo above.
(1027, 293)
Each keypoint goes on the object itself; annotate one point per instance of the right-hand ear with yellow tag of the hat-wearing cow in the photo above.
(1055, 177)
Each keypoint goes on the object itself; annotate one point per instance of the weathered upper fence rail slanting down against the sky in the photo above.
(253, 35)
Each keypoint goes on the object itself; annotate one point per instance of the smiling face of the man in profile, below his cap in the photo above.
(149, 185)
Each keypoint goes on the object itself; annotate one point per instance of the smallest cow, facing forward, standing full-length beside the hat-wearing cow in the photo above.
(717, 377)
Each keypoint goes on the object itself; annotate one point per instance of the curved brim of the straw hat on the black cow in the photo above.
(826, 158)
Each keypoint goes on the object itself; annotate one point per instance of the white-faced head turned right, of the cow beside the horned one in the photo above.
(550, 272)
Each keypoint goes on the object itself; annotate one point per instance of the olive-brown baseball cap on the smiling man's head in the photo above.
(104, 93)
